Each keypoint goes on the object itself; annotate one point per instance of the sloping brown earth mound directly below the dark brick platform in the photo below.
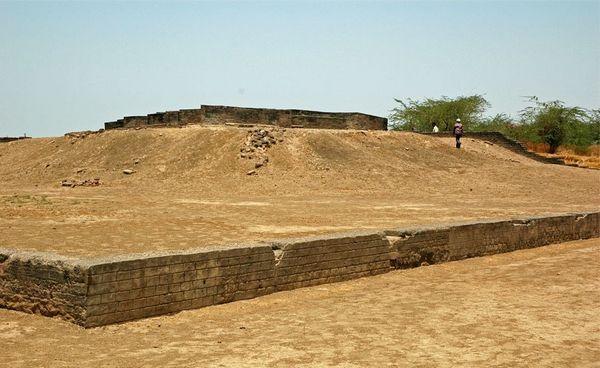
(221, 158)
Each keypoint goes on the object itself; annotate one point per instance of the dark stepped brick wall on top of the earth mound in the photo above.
(222, 115)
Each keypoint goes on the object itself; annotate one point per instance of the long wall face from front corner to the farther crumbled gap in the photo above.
(144, 287)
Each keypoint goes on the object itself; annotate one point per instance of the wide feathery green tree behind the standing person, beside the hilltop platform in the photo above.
(421, 115)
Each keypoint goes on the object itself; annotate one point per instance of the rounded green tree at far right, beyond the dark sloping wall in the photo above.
(556, 123)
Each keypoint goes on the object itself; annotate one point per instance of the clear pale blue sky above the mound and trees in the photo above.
(71, 66)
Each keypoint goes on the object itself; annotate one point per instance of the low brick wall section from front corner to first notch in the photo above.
(132, 289)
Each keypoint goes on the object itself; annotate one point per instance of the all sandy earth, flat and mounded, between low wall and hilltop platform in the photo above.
(190, 187)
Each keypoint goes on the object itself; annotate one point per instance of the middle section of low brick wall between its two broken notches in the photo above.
(322, 260)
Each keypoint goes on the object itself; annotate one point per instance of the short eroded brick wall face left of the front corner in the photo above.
(43, 284)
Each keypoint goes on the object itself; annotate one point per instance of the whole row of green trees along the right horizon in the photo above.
(550, 122)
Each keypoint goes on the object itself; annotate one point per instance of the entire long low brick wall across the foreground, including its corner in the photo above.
(108, 290)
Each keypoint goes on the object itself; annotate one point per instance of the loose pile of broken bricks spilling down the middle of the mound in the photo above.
(258, 141)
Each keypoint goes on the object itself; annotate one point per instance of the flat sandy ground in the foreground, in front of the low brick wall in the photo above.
(530, 308)
